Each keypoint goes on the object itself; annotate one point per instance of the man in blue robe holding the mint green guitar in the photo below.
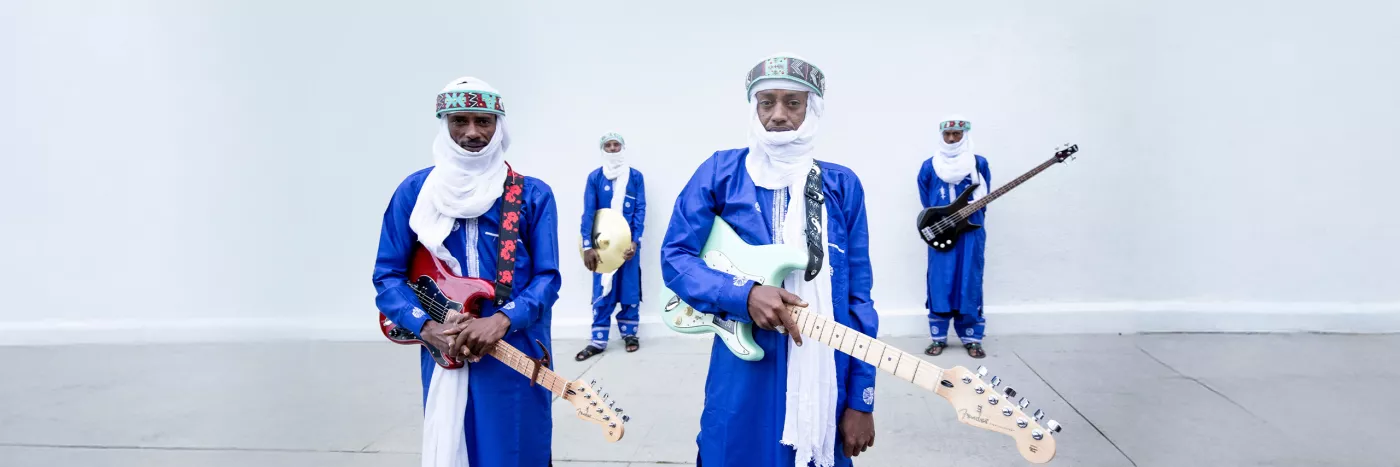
(752, 409)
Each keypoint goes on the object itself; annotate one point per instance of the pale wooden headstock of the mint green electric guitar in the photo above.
(989, 406)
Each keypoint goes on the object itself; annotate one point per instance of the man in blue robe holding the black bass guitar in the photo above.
(955, 276)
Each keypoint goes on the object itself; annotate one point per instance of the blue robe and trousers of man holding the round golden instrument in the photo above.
(626, 289)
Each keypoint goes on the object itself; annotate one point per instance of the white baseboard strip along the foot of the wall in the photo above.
(1104, 318)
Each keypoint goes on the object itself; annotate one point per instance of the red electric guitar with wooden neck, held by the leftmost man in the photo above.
(440, 293)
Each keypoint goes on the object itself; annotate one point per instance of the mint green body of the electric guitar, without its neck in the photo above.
(724, 251)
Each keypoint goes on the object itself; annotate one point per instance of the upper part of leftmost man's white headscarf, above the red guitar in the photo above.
(463, 185)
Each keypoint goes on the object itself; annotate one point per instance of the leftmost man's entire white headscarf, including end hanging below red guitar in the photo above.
(463, 185)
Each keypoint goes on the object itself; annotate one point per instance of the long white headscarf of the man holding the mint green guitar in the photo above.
(782, 160)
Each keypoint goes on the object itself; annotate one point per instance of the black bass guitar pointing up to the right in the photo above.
(940, 227)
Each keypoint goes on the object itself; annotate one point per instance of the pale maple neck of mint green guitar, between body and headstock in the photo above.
(869, 350)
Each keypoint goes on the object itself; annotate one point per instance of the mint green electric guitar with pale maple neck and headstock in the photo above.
(975, 403)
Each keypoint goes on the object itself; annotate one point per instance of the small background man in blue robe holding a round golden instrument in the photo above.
(618, 187)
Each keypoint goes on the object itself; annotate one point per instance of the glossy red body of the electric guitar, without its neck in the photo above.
(440, 293)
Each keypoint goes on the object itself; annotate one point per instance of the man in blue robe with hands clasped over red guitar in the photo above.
(454, 210)
